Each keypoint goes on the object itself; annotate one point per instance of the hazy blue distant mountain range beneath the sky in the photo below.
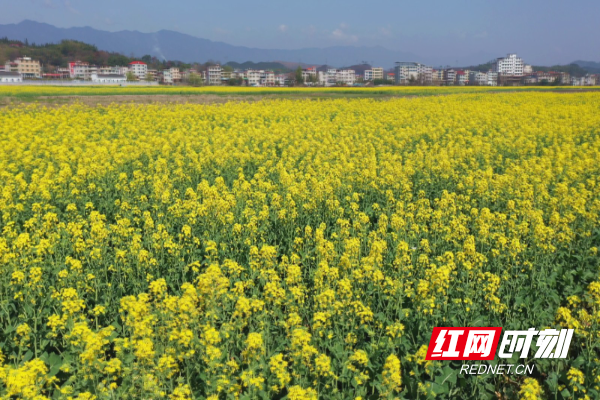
(172, 45)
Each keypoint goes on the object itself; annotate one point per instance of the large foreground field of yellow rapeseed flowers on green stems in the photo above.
(299, 249)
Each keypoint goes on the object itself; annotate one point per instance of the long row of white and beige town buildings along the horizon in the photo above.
(509, 70)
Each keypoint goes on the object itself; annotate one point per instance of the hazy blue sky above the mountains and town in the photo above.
(541, 31)
